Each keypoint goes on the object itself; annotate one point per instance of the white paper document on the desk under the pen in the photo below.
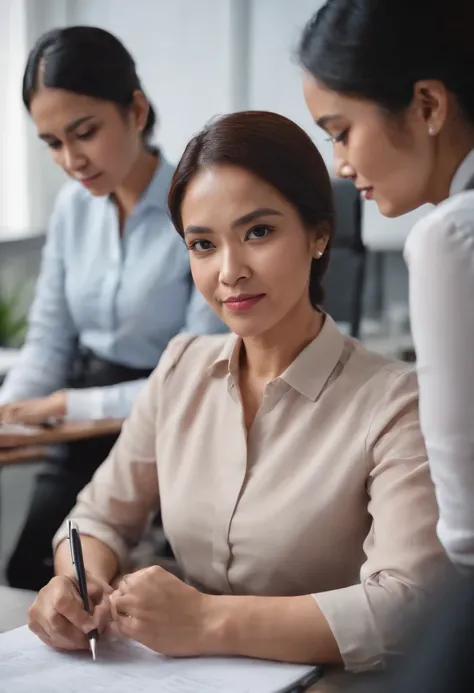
(123, 666)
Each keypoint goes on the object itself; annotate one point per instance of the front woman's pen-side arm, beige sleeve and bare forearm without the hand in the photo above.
(113, 509)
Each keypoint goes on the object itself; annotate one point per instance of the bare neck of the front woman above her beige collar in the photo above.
(267, 356)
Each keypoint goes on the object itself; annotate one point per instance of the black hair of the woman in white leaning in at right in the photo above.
(379, 49)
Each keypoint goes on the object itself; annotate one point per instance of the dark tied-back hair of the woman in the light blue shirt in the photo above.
(85, 60)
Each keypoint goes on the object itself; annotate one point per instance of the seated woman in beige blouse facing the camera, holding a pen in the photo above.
(287, 460)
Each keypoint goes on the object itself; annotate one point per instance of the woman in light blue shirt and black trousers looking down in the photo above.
(115, 283)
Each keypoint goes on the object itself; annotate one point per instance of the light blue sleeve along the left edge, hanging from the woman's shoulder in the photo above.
(51, 337)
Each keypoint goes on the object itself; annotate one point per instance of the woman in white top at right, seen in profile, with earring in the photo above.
(394, 89)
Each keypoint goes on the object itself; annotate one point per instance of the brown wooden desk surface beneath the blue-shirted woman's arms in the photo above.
(73, 430)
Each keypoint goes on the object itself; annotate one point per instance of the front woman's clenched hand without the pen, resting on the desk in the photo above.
(160, 611)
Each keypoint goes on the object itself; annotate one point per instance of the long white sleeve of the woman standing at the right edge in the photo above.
(440, 257)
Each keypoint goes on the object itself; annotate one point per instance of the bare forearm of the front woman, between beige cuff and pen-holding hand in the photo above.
(99, 559)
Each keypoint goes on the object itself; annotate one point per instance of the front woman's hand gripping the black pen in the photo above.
(58, 617)
